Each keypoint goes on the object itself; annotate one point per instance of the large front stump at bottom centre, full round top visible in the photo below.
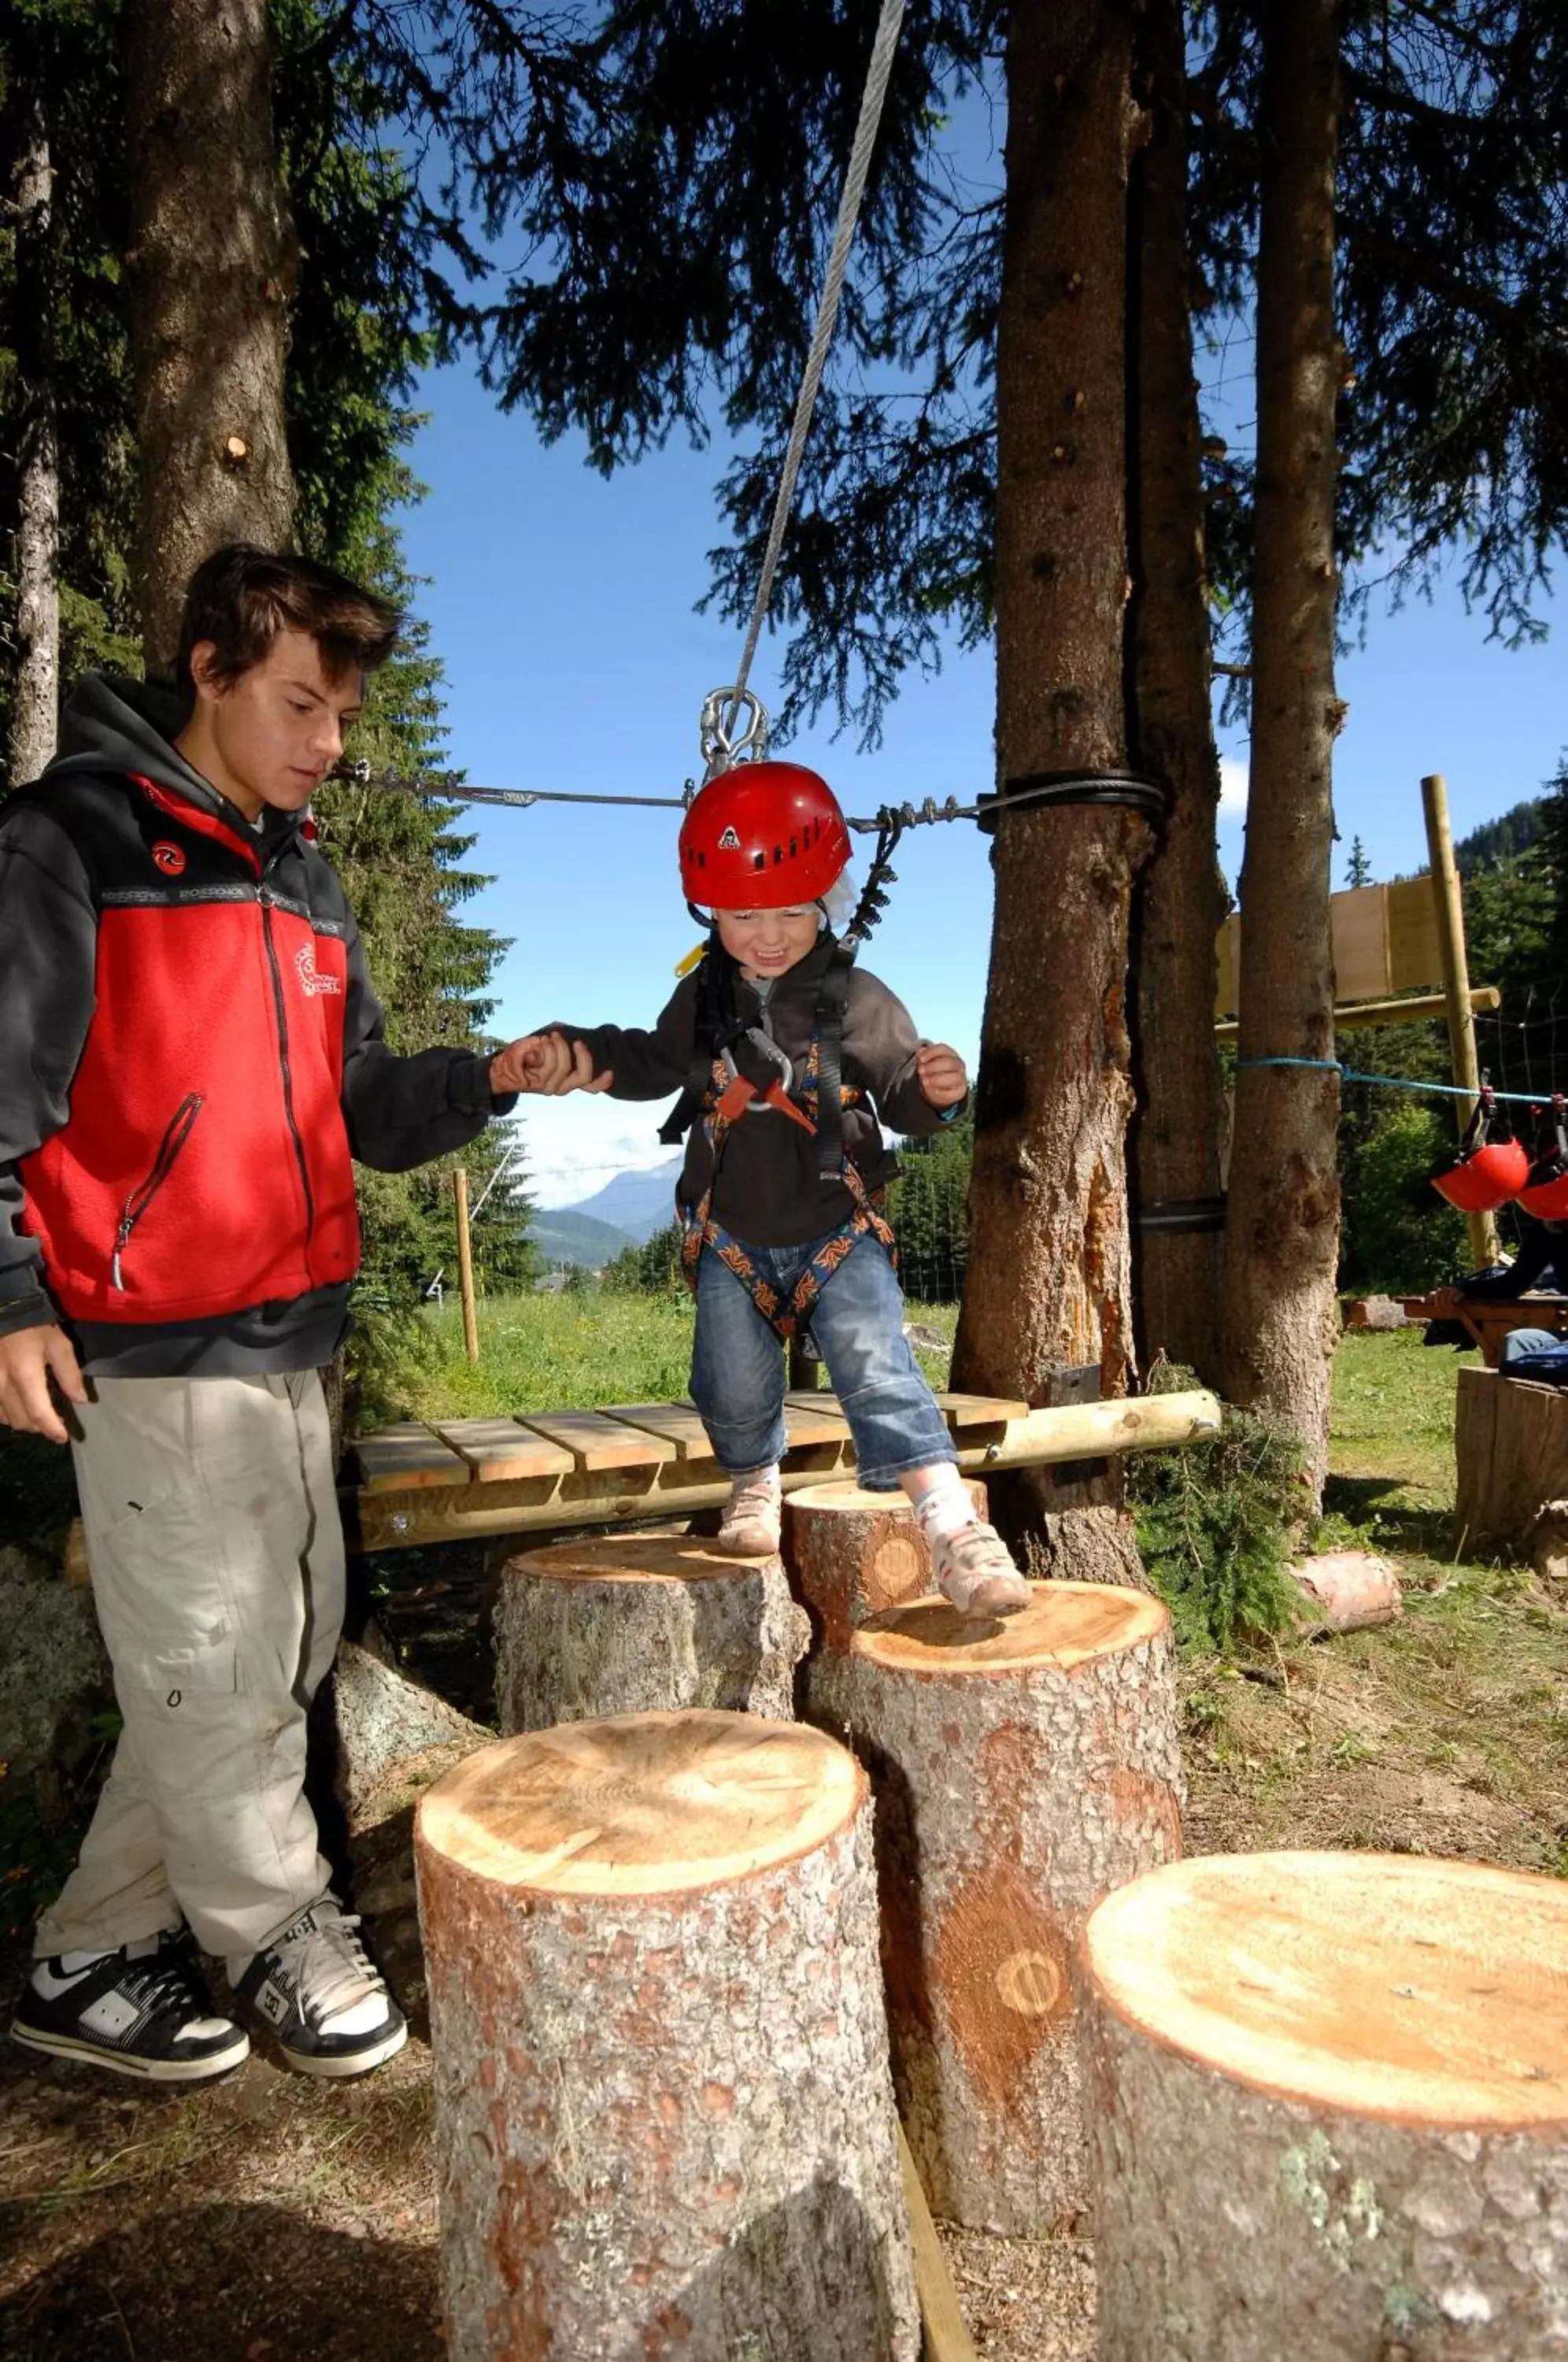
(665, 2120)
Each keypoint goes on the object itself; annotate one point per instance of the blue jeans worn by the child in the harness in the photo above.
(858, 1322)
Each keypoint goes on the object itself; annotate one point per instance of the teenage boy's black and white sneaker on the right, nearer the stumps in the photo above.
(322, 1997)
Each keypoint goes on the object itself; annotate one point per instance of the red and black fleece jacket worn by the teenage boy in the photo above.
(190, 1059)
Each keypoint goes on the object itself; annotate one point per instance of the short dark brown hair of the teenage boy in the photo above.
(242, 599)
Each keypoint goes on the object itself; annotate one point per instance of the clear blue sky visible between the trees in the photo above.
(563, 611)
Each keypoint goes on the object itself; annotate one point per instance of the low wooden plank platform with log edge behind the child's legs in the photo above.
(643, 1461)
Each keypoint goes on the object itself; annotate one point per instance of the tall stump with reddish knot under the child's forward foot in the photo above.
(1021, 1770)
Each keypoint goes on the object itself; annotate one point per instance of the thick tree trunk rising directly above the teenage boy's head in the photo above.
(214, 261)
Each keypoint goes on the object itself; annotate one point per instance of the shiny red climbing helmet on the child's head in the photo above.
(762, 837)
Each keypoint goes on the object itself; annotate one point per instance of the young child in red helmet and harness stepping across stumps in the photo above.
(790, 1055)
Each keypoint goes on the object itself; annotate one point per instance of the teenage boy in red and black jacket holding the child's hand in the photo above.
(190, 1059)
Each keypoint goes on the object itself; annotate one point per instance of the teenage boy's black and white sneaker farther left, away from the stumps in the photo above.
(138, 2011)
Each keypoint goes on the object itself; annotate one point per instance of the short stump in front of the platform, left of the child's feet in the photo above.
(634, 1624)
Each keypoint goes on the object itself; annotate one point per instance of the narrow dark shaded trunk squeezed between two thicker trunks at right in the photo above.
(1182, 892)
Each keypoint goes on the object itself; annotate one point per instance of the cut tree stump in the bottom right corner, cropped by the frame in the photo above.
(1331, 2113)
